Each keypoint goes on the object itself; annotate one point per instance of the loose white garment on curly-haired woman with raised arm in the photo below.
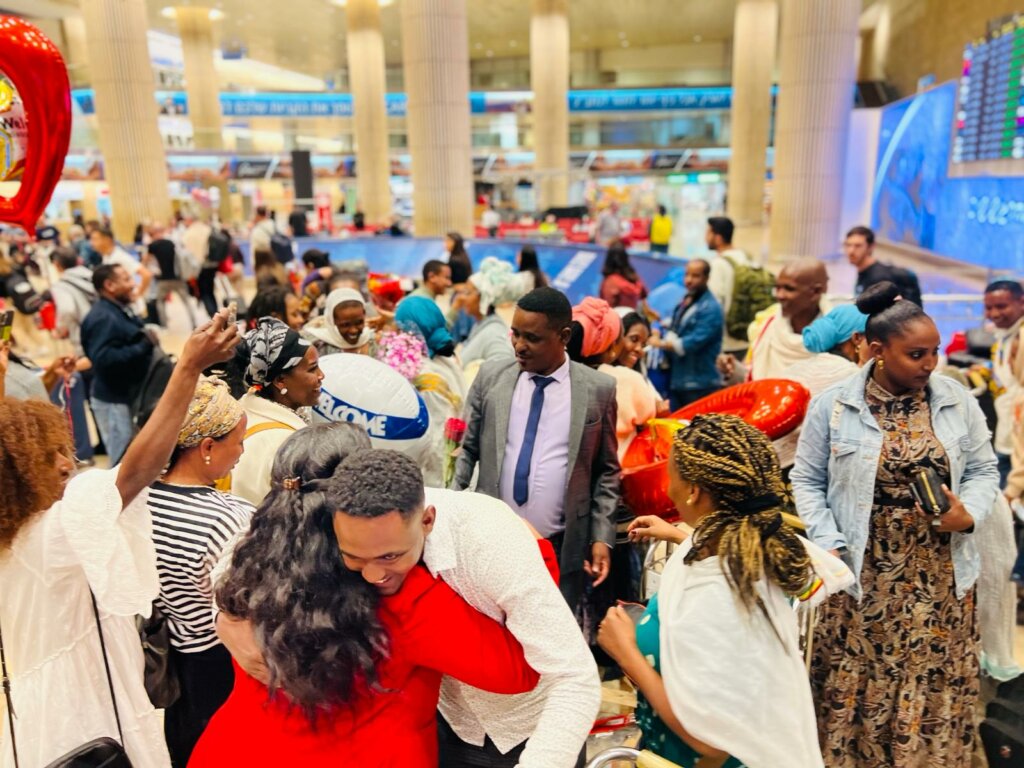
(59, 685)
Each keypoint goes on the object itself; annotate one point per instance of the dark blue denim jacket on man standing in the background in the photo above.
(700, 331)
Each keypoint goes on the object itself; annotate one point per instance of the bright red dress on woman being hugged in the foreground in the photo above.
(434, 633)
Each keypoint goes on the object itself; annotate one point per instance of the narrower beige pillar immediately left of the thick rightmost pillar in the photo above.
(755, 36)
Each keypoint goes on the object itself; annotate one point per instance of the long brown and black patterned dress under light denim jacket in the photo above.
(895, 677)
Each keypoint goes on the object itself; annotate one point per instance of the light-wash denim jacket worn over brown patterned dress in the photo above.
(838, 459)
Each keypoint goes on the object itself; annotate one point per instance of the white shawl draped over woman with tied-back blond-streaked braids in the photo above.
(730, 679)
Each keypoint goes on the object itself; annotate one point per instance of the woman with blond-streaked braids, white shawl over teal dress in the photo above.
(716, 656)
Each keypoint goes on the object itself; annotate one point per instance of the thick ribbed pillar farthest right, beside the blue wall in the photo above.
(818, 67)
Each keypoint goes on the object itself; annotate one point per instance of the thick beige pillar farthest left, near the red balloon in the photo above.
(126, 113)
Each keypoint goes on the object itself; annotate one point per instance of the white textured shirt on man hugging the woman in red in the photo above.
(487, 556)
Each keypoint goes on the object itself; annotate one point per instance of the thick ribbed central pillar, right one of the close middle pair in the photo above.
(436, 62)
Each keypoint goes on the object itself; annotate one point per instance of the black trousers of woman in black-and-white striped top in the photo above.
(206, 680)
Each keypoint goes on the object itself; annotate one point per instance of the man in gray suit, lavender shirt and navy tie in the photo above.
(542, 431)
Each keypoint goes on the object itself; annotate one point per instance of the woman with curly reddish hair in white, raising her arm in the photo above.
(77, 564)
